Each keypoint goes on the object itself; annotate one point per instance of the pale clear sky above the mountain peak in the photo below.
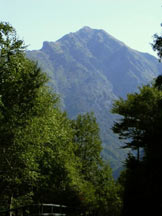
(134, 22)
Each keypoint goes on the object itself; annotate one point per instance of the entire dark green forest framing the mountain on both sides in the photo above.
(45, 157)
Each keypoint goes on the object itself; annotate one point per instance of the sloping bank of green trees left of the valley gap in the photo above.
(44, 156)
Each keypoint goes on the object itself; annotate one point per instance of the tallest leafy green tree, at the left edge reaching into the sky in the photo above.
(24, 98)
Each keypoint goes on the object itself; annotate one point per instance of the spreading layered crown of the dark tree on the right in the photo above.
(140, 110)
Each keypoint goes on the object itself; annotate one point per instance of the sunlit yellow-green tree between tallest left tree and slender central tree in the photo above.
(59, 178)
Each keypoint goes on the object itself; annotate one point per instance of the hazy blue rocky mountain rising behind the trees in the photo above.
(90, 69)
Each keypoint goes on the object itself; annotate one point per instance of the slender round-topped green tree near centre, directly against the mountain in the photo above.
(87, 143)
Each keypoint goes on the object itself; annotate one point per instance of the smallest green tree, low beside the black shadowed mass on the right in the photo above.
(107, 197)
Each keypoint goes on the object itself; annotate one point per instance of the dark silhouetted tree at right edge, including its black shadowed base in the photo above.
(141, 125)
